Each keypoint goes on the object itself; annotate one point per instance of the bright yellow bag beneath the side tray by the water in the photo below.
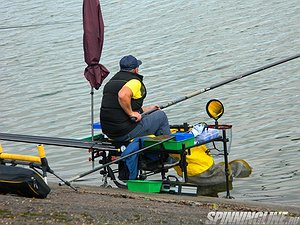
(198, 161)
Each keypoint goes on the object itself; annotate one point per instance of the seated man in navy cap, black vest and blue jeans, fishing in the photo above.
(122, 106)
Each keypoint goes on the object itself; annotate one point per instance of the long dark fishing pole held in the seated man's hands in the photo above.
(195, 93)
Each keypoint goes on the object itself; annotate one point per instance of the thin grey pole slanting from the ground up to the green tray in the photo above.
(117, 160)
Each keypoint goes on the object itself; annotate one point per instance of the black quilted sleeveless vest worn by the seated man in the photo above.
(114, 121)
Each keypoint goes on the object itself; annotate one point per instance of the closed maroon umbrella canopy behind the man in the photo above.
(93, 38)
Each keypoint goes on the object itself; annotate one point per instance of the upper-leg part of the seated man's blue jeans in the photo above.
(154, 123)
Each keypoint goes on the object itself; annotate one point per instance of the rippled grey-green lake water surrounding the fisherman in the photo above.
(185, 46)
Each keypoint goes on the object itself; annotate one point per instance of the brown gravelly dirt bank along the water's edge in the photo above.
(95, 205)
